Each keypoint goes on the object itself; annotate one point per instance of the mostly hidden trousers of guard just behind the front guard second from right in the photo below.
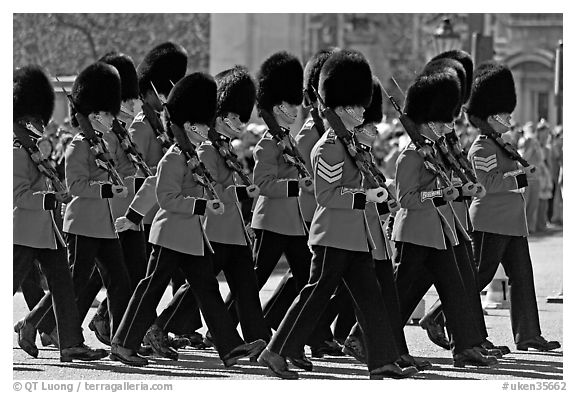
(469, 275)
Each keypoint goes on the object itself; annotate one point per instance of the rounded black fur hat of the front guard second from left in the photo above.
(97, 88)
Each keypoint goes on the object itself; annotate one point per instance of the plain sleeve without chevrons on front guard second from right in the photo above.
(408, 188)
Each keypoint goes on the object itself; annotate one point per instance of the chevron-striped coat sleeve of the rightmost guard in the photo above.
(484, 159)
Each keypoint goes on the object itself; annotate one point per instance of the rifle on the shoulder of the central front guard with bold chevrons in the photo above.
(362, 158)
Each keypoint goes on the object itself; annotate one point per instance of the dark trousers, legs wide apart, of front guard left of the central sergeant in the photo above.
(199, 272)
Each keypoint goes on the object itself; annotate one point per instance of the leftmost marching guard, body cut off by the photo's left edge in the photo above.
(35, 234)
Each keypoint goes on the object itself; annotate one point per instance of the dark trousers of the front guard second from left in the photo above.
(106, 254)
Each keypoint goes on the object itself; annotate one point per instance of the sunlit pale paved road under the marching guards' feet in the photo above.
(204, 364)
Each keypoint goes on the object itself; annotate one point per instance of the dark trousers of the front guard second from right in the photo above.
(417, 269)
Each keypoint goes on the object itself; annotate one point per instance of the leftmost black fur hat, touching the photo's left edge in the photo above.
(33, 93)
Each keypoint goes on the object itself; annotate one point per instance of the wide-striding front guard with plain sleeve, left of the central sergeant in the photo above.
(177, 234)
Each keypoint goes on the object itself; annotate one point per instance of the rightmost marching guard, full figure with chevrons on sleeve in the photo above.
(499, 219)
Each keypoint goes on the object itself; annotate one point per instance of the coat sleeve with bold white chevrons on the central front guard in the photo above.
(328, 164)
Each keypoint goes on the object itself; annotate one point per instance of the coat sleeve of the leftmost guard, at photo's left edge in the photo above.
(22, 193)
